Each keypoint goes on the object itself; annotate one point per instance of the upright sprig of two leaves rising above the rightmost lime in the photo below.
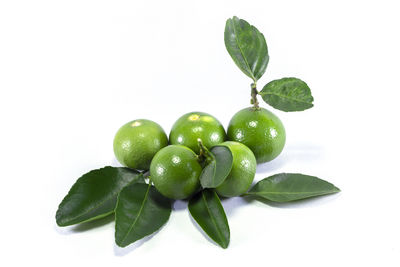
(248, 49)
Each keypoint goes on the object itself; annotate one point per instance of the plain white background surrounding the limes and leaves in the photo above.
(72, 72)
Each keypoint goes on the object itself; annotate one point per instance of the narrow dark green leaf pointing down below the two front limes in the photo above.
(206, 209)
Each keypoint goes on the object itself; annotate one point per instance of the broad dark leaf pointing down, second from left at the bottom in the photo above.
(141, 210)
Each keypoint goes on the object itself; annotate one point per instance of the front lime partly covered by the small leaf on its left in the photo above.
(242, 173)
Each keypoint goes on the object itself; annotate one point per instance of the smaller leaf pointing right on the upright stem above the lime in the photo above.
(287, 94)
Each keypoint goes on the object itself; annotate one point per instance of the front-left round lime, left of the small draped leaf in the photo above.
(175, 172)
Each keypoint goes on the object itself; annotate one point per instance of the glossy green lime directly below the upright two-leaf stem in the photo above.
(260, 130)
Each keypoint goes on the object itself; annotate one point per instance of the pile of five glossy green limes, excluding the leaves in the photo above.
(255, 135)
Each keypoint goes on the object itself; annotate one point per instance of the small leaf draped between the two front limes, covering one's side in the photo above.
(218, 168)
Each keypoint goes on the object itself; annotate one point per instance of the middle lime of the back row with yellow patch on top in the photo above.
(194, 125)
